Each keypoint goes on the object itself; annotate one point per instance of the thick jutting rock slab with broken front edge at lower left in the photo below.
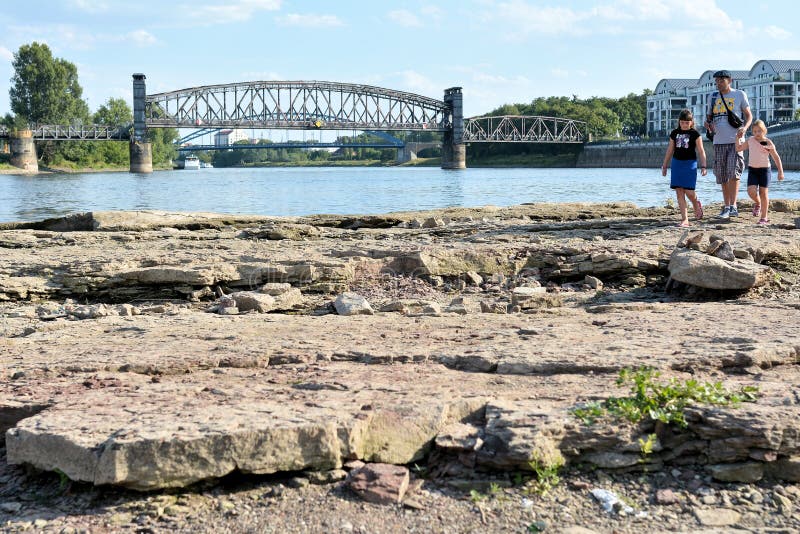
(144, 435)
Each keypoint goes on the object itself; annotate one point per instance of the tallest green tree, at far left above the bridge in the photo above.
(45, 90)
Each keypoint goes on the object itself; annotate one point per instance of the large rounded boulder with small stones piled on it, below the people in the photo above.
(698, 269)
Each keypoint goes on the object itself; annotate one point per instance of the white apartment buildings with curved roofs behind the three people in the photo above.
(773, 88)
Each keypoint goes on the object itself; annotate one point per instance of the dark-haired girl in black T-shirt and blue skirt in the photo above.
(685, 145)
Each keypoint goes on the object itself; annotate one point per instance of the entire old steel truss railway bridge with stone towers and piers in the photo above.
(305, 105)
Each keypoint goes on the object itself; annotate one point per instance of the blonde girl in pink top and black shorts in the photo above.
(758, 169)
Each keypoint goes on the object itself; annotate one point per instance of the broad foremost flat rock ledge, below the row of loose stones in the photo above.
(263, 394)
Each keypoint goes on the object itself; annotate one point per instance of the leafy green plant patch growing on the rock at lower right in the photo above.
(664, 401)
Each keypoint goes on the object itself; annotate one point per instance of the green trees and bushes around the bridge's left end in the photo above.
(45, 90)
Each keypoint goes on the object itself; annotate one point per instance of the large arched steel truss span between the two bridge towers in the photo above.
(296, 105)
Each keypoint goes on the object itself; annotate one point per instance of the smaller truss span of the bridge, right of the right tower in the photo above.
(522, 129)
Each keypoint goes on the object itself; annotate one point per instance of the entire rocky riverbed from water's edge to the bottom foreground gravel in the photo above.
(412, 371)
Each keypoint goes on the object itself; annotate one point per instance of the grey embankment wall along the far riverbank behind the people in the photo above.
(651, 154)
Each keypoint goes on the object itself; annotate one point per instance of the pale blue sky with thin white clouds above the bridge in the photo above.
(499, 51)
